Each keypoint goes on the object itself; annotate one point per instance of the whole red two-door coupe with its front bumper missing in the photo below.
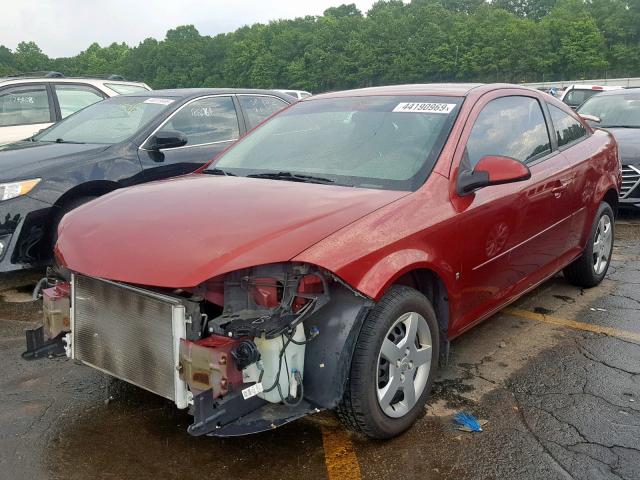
(328, 258)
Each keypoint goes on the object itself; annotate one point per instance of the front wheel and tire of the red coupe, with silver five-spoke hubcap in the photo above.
(372, 376)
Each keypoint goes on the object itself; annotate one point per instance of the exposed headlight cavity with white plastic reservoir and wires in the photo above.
(253, 351)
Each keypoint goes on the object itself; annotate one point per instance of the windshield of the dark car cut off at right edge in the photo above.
(614, 110)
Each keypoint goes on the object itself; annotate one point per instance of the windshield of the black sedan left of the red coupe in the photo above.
(107, 122)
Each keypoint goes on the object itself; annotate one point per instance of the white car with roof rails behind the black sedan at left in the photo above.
(30, 103)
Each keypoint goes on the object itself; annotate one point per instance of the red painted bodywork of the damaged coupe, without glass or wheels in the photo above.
(487, 248)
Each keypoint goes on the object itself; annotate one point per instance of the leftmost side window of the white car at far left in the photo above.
(24, 105)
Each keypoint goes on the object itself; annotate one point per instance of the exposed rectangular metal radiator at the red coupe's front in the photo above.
(129, 333)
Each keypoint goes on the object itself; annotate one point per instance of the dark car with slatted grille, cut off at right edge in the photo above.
(618, 112)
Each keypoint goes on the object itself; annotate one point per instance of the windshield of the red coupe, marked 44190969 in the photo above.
(386, 142)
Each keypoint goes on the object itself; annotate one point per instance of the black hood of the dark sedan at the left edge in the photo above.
(22, 160)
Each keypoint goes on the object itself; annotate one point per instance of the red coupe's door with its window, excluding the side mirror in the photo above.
(511, 233)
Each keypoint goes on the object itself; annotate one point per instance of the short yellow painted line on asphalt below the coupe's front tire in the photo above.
(339, 454)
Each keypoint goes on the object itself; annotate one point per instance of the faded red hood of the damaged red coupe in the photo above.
(181, 232)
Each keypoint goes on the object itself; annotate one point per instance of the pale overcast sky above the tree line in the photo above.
(64, 28)
